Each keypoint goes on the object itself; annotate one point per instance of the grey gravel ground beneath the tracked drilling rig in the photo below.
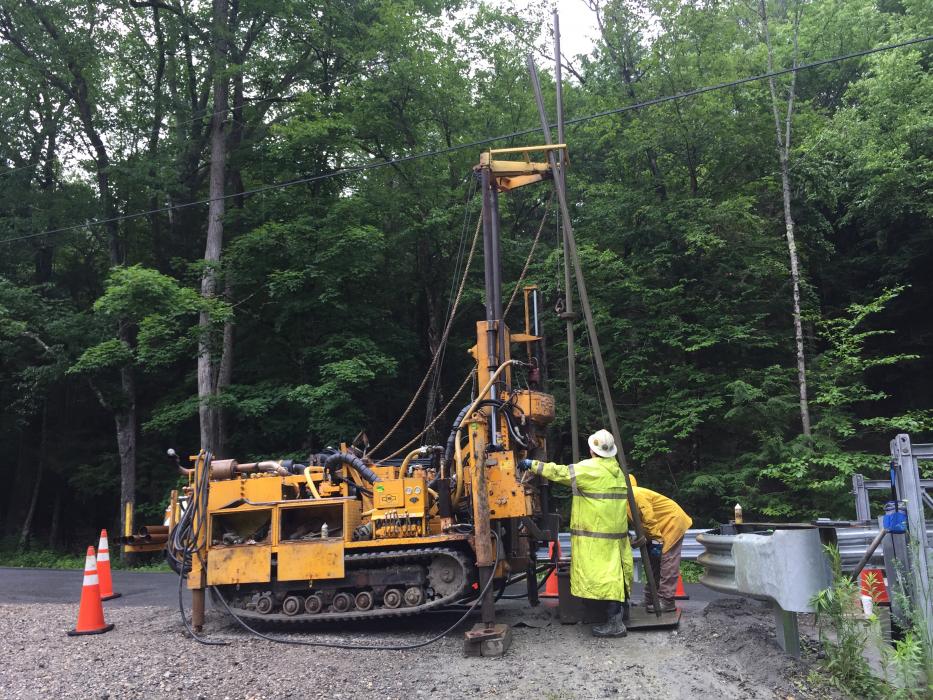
(727, 650)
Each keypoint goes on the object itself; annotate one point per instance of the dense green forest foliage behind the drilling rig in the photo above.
(332, 293)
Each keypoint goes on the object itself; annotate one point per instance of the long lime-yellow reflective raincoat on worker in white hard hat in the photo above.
(598, 525)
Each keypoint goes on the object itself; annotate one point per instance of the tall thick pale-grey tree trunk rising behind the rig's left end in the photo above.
(215, 225)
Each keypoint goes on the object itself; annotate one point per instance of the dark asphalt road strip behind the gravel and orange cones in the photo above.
(147, 588)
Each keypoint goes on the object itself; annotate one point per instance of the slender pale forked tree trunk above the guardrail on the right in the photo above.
(783, 139)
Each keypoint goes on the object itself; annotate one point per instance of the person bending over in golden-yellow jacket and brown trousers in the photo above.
(664, 522)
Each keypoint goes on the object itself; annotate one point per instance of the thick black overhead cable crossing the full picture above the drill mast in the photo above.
(352, 170)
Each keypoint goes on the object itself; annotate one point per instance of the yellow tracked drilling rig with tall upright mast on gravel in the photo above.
(343, 536)
